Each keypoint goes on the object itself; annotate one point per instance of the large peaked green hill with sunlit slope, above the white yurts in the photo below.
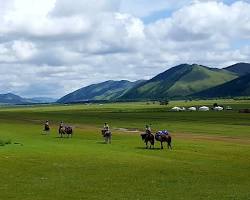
(180, 81)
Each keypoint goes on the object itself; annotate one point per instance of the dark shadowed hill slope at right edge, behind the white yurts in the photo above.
(234, 88)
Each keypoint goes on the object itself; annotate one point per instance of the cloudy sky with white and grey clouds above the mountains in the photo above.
(52, 47)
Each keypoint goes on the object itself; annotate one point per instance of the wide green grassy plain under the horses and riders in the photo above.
(210, 159)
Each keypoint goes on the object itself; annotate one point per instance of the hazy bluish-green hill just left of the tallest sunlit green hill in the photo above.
(108, 90)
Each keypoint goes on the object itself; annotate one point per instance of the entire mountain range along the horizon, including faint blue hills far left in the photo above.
(179, 82)
